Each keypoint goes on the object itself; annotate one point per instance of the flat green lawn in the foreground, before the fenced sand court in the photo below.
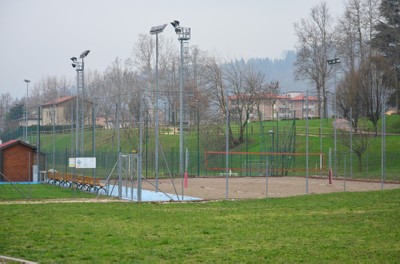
(336, 228)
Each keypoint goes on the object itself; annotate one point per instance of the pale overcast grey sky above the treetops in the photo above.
(38, 37)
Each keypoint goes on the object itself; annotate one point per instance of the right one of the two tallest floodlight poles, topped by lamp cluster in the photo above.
(183, 36)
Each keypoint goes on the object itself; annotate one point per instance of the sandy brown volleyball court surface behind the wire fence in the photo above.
(259, 187)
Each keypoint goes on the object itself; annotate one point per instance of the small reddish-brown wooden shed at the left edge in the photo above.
(16, 161)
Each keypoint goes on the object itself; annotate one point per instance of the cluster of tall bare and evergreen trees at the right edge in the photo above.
(365, 39)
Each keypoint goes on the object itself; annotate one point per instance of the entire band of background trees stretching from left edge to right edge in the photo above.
(365, 38)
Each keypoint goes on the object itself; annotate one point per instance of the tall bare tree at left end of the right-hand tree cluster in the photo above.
(315, 46)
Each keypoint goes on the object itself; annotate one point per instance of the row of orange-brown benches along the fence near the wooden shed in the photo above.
(86, 183)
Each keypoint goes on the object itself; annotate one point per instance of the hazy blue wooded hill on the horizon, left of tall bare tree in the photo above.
(281, 70)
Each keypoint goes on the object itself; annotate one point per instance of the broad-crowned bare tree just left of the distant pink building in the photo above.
(242, 83)
